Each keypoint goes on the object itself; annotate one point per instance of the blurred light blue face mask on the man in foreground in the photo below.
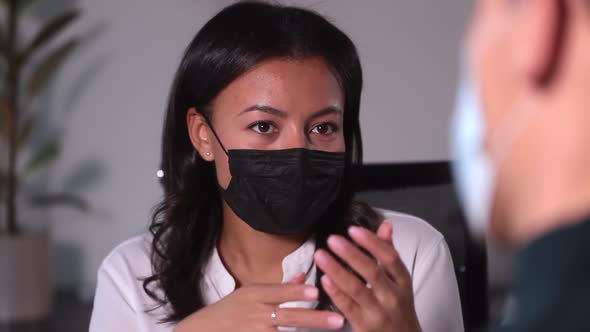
(473, 169)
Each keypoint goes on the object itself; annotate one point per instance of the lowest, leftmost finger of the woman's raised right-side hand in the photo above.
(348, 283)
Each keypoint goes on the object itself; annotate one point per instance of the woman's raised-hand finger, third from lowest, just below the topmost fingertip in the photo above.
(384, 251)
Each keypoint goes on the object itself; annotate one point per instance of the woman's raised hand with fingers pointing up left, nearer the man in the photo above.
(386, 302)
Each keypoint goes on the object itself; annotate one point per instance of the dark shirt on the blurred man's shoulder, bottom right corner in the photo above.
(552, 283)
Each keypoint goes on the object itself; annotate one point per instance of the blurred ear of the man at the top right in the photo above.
(538, 38)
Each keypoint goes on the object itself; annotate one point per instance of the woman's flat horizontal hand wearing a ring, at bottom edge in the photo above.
(251, 308)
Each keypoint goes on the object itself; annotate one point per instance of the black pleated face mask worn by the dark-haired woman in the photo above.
(282, 192)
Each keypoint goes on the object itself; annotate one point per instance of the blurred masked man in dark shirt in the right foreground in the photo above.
(522, 144)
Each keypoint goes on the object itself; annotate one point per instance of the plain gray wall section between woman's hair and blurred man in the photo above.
(409, 51)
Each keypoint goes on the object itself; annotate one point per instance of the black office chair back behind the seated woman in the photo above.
(425, 190)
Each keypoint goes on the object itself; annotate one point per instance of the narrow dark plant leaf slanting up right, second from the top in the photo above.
(45, 70)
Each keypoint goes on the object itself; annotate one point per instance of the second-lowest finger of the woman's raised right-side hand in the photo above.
(364, 265)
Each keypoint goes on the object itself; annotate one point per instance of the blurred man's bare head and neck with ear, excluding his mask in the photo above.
(531, 63)
